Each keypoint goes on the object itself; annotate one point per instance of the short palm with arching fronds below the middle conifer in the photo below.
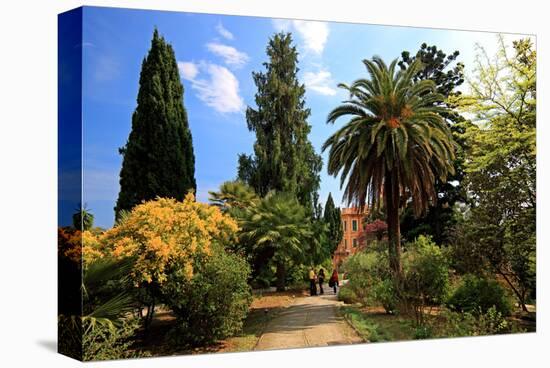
(281, 223)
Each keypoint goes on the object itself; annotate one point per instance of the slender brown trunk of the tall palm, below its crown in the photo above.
(391, 196)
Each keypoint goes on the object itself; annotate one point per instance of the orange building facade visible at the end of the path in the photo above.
(354, 238)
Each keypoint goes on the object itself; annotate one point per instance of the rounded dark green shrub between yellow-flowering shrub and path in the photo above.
(213, 304)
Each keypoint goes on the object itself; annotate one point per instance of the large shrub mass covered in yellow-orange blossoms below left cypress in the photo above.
(165, 232)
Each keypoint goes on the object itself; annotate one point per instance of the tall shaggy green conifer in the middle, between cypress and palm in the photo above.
(284, 159)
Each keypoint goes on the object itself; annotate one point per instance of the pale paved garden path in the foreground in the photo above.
(309, 321)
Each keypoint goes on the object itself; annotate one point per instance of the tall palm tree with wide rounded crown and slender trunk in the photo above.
(394, 145)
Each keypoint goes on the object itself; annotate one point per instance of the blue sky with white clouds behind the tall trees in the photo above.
(216, 55)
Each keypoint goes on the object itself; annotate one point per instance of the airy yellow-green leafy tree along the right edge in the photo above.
(499, 231)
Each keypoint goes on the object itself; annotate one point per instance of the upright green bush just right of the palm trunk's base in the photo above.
(425, 276)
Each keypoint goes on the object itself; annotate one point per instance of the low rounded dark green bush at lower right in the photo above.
(476, 294)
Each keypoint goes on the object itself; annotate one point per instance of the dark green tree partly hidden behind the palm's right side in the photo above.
(447, 74)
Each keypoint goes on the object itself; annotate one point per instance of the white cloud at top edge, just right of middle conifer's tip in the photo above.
(313, 34)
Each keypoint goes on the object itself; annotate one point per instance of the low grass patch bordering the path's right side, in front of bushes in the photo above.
(376, 326)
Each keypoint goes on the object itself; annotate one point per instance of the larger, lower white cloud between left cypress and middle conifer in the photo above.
(220, 90)
